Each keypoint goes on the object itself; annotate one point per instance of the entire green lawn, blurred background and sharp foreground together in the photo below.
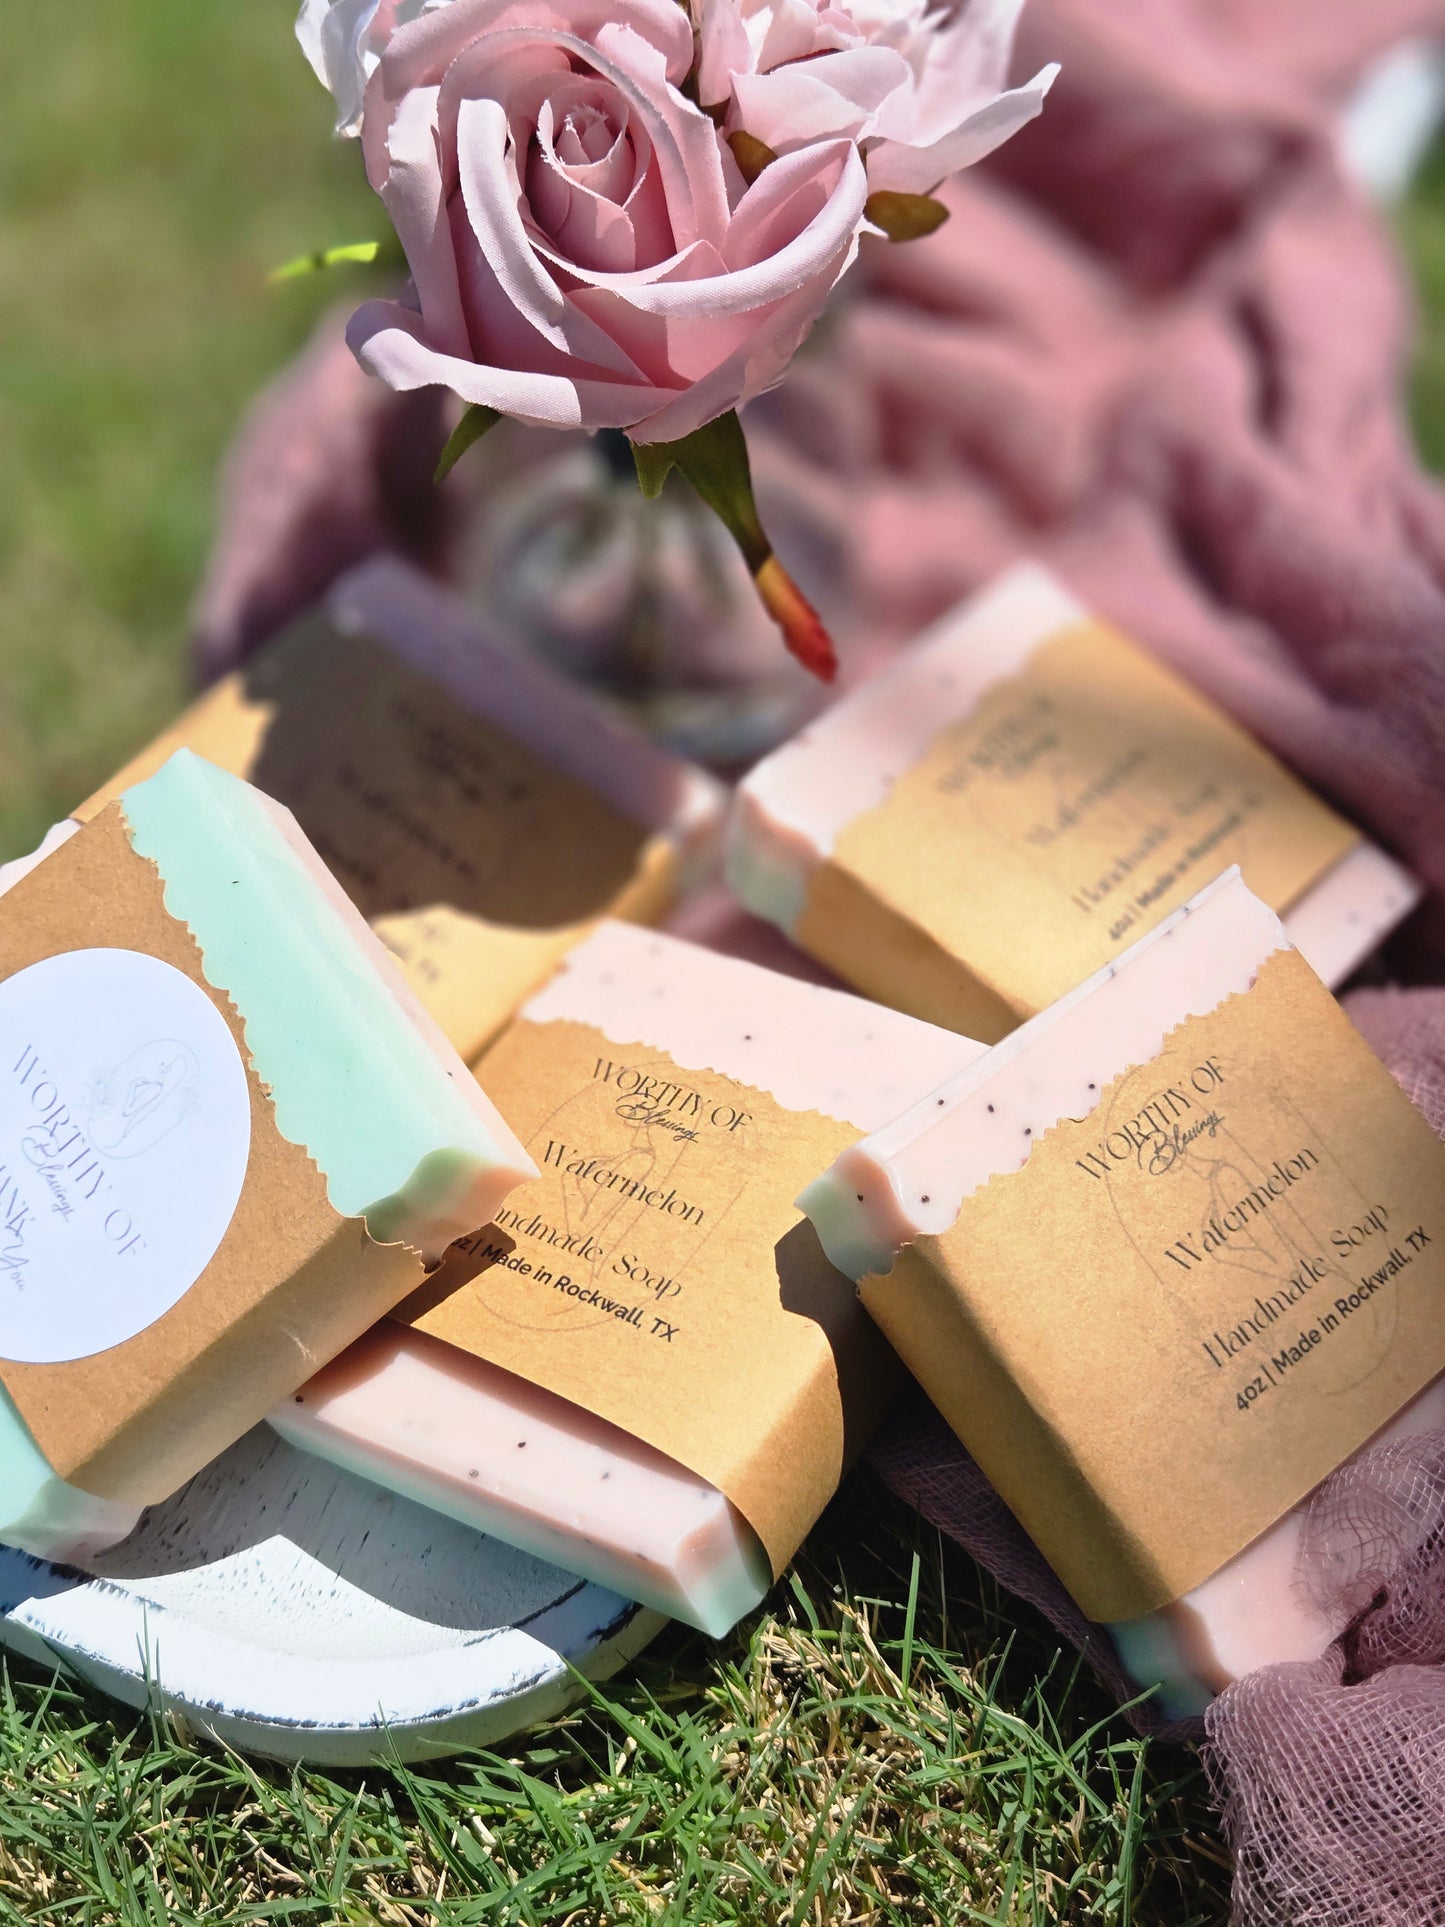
(889, 1741)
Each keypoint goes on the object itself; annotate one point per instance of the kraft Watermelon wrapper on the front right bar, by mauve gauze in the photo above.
(1101, 1385)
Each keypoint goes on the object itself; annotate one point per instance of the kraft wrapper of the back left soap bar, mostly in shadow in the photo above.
(475, 860)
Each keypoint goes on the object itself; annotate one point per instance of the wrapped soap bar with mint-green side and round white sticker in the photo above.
(230, 1140)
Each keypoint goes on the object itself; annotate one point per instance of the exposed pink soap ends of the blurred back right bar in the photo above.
(793, 808)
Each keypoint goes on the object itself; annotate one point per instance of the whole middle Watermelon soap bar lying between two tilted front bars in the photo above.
(646, 1371)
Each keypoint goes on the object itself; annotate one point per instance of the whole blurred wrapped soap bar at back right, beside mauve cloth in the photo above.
(1016, 801)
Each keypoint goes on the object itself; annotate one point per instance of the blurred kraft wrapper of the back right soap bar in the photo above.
(1080, 805)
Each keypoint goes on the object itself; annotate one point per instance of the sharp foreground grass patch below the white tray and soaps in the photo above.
(885, 1745)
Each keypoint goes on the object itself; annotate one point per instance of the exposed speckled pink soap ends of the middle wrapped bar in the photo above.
(438, 1425)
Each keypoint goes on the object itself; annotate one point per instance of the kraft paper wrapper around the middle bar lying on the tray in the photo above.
(774, 1377)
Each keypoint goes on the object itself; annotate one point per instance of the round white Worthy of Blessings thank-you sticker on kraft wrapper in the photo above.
(124, 1142)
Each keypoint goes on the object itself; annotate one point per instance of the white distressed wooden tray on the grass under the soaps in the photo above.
(302, 1614)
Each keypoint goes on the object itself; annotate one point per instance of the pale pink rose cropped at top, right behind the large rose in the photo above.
(922, 88)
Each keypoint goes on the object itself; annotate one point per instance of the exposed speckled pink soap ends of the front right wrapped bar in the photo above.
(912, 1178)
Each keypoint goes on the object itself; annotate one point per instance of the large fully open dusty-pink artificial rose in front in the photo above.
(585, 251)
